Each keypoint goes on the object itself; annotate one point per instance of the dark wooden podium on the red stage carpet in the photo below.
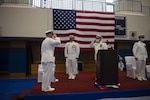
(107, 67)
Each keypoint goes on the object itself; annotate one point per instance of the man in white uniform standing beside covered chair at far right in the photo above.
(140, 54)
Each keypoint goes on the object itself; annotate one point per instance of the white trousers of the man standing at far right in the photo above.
(140, 70)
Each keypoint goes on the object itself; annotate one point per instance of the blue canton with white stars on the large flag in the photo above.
(64, 19)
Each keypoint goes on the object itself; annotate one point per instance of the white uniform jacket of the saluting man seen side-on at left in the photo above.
(47, 49)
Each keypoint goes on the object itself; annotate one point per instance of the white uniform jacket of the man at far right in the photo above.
(139, 50)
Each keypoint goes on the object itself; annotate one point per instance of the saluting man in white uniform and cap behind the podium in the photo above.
(98, 45)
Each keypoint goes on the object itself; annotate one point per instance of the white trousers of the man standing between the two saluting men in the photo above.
(71, 66)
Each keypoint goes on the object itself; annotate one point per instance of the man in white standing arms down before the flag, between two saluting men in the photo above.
(72, 52)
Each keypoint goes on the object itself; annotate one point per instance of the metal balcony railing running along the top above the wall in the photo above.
(90, 5)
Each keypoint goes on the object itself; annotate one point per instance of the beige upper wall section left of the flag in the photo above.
(24, 22)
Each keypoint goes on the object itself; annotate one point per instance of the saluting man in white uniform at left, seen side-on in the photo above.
(48, 60)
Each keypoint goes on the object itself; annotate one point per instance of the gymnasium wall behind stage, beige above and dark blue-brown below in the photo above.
(22, 31)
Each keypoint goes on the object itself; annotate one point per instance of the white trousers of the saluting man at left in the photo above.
(48, 74)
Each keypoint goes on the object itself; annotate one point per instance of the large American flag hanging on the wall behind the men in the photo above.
(84, 25)
